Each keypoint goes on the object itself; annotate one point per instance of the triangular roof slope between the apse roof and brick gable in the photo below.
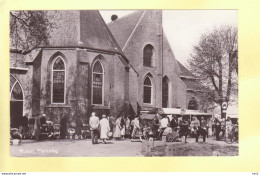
(123, 27)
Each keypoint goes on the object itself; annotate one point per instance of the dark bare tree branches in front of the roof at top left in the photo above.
(29, 29)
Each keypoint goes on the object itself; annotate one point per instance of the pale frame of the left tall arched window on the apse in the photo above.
(65, 79)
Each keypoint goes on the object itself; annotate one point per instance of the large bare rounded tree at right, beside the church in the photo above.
(215, 62)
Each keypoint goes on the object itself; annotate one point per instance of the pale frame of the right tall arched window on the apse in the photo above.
(103, 78)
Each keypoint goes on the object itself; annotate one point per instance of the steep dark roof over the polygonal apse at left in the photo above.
(82, 29)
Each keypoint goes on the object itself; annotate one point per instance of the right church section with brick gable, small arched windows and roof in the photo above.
(162, 81)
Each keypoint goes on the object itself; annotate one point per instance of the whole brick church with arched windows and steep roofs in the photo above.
(123, 67)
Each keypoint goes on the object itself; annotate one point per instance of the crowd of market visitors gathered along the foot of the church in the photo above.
(122, 127)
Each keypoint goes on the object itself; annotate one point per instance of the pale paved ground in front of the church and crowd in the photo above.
(84, 148)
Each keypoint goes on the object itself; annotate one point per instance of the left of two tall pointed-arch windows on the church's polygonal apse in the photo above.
(58, 80)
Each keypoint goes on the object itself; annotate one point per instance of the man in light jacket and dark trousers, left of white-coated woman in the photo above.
(94, 127)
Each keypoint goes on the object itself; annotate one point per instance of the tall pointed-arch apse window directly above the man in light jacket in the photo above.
(97, 83)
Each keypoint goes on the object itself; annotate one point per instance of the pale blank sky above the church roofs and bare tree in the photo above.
(183, 28)
